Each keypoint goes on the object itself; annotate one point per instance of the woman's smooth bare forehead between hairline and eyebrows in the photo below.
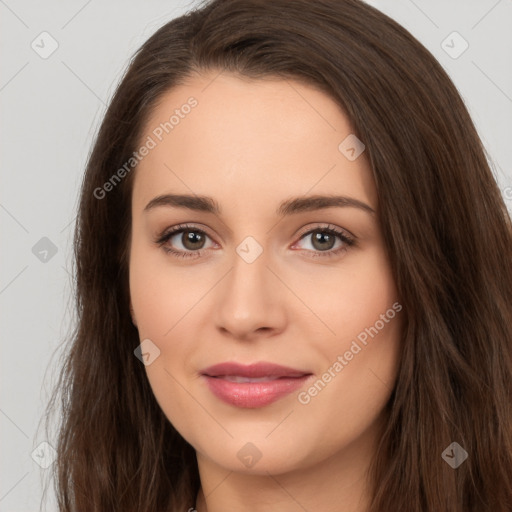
(246, 140)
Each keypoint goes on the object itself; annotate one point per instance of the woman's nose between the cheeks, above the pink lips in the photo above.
(251, 301)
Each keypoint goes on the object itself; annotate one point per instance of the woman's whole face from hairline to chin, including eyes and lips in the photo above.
(256, 271)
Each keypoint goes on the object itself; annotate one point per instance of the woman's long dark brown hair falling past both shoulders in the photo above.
(445, 225)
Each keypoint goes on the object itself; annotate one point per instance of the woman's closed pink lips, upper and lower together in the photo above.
(254, 385)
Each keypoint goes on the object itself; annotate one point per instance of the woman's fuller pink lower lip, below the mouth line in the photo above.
(253, 394)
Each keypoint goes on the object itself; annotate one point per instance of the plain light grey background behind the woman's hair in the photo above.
(51, 108)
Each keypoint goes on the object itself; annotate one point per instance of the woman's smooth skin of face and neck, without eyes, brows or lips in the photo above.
(251, 144)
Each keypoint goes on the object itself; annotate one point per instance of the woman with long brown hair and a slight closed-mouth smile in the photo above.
(293, 277)
